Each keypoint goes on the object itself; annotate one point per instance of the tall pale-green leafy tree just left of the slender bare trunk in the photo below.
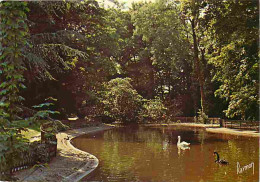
(167, 48)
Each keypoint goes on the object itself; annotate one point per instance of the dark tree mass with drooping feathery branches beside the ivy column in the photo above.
(72, 46)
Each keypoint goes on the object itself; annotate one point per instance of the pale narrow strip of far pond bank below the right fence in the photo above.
(214, 128)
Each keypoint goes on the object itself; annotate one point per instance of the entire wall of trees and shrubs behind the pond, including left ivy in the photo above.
(165, 57)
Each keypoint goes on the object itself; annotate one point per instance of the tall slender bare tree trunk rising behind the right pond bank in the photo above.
(199, 72)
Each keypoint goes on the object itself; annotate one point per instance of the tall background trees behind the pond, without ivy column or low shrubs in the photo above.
(180, 51)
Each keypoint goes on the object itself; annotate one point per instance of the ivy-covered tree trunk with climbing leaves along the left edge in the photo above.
(13, 41)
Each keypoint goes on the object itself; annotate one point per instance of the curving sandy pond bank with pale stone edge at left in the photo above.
(71, 164)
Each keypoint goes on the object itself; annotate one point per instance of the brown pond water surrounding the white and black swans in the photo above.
(139, 153)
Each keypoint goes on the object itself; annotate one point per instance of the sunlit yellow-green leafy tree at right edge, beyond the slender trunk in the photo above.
(233, 28)
